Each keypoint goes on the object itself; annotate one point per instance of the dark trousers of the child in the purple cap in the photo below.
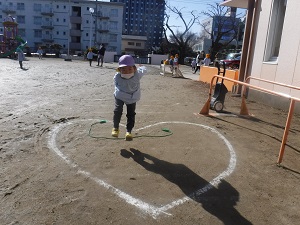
(118, 111)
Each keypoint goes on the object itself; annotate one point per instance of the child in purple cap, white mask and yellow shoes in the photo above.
(128, 92)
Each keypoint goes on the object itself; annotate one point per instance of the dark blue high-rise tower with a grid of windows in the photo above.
(144, 18)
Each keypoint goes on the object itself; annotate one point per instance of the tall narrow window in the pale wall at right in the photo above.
(275, 30)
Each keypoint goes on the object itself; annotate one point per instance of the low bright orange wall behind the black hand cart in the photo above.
(207, 72)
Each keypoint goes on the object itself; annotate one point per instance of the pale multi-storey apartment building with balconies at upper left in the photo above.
(74, 24)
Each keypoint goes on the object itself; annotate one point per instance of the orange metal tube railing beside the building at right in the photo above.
(244, 110)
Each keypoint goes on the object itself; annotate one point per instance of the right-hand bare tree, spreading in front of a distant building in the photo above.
(220, 27)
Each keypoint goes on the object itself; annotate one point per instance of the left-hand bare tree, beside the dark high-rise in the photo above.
(180, 40)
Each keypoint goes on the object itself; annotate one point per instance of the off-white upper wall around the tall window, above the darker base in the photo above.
(287, 68)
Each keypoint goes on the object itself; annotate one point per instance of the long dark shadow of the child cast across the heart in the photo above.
(218, 201)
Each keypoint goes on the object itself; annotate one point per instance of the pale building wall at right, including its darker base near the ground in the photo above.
(284, 67)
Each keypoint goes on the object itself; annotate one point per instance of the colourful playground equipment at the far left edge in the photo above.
(9, 41)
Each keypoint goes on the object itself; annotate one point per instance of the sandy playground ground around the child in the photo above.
(60, 166)
